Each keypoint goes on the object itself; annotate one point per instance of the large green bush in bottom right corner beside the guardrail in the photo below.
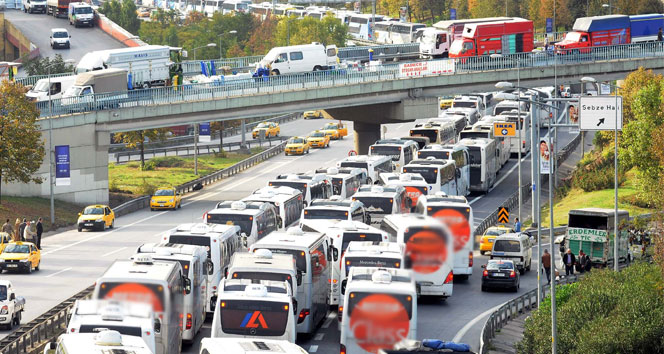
(606, 312)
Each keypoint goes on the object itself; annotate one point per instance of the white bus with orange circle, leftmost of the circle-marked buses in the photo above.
(158, 283)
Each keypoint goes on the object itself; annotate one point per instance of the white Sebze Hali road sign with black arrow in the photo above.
(599, 112)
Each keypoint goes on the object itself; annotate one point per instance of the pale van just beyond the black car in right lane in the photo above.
(515, 247)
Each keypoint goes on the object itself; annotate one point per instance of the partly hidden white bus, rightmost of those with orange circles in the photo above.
(457, 214)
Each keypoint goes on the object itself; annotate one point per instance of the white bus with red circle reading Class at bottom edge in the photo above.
(380, 310)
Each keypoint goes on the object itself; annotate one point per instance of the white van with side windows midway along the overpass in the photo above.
(298, 59)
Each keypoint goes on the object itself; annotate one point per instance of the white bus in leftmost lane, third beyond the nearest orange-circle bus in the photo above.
(255, 219)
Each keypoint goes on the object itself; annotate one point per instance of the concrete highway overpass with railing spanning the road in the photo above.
(368, 97)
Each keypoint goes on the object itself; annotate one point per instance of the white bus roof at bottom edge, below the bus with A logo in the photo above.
(248, 346)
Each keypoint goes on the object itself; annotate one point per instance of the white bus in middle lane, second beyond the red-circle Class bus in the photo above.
(341, 234)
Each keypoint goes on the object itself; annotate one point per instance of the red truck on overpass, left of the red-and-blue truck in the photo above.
(504, 37)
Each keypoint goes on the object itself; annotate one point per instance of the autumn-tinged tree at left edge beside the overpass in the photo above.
(21, 145)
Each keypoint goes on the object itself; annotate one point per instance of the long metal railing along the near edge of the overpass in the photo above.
(340, 77)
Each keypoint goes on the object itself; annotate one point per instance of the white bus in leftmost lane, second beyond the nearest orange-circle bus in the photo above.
(220, 241)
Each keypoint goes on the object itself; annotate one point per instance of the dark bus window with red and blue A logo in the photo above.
(254, 318)
